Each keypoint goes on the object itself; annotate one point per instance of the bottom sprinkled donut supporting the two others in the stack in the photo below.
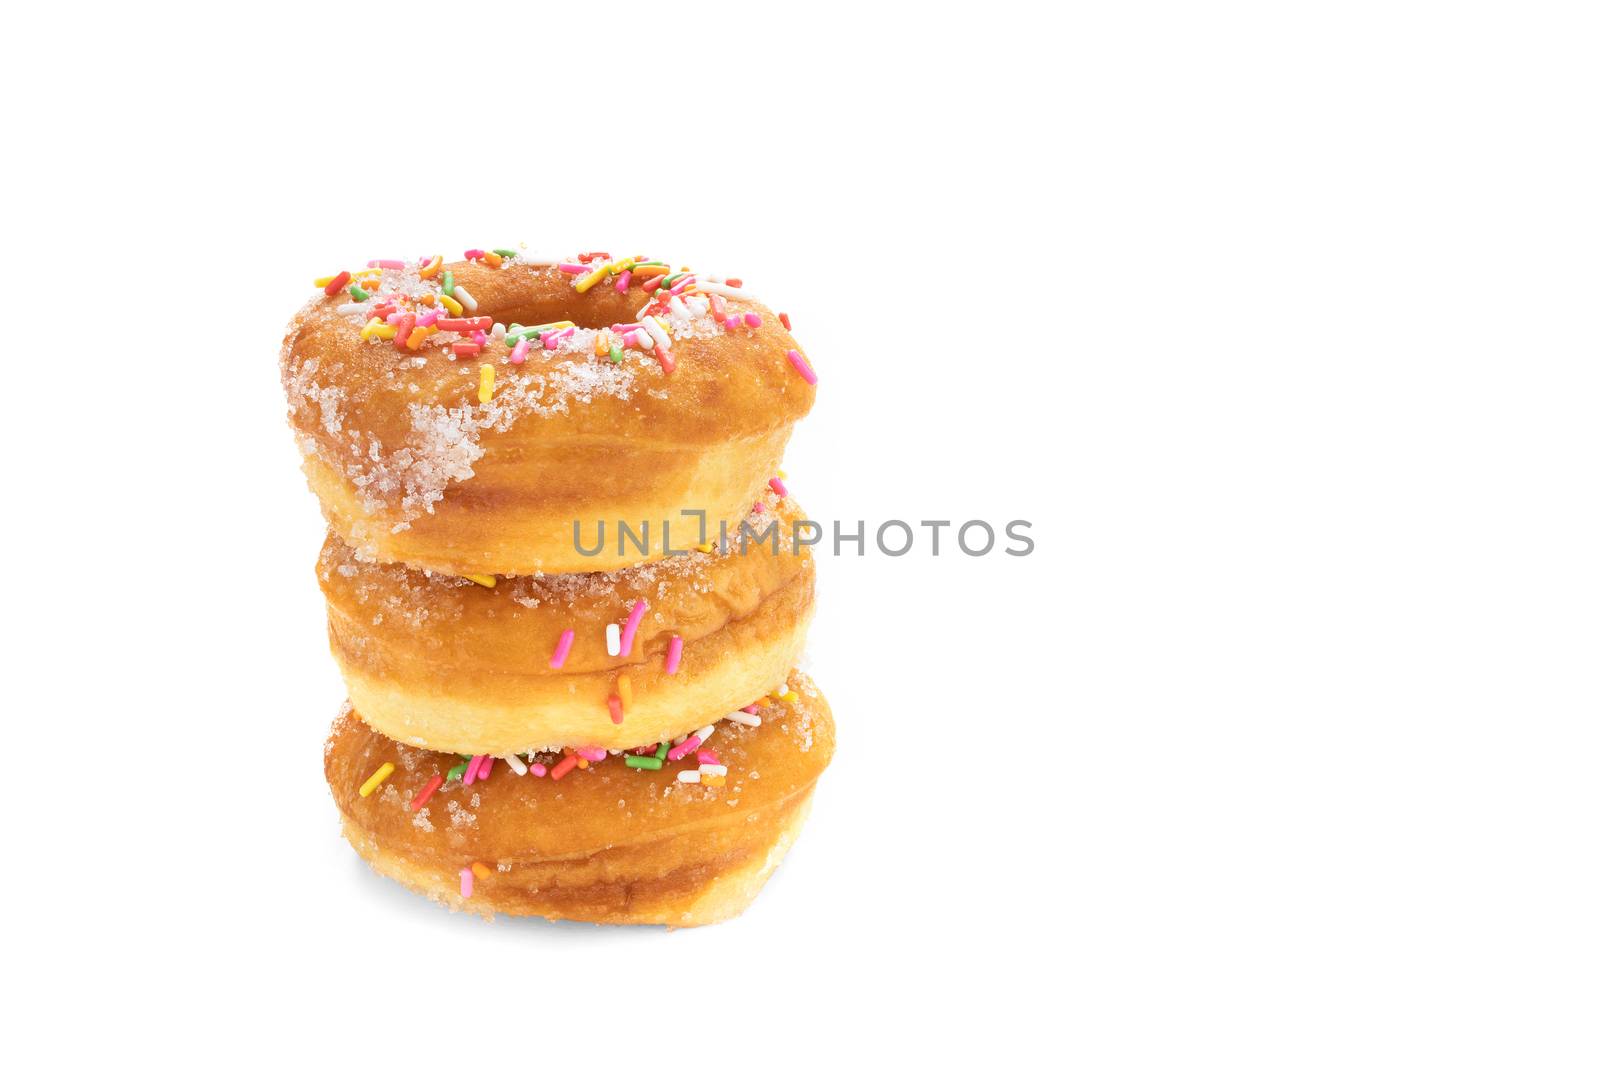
(681, 836)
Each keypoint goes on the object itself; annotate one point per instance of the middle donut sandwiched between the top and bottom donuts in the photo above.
(534, 663)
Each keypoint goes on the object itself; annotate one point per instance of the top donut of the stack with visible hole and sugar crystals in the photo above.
(505, 415)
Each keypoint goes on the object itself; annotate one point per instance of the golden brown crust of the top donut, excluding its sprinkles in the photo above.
(412, 468)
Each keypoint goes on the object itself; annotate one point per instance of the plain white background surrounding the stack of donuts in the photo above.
(1278, 322)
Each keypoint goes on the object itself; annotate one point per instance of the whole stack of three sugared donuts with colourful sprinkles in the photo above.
(564, 581)
